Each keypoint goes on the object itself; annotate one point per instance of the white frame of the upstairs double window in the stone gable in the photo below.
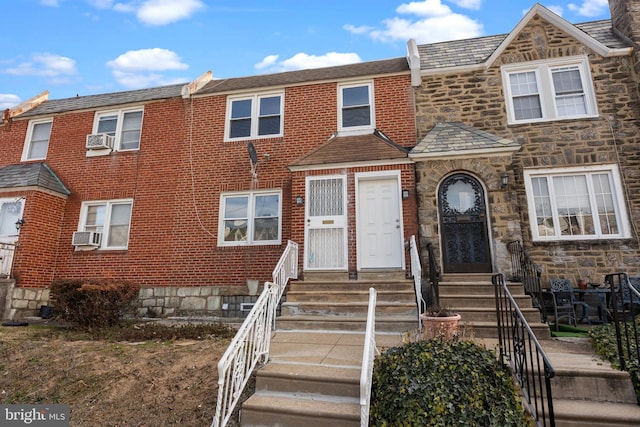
(544, 78)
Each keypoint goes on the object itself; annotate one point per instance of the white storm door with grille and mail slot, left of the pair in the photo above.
(326, 223)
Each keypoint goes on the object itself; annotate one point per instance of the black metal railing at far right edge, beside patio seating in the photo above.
(623, 308)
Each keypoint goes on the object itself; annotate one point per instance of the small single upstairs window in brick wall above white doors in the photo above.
(355, 109)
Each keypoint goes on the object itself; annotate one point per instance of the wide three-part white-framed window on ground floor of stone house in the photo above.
(576, 203)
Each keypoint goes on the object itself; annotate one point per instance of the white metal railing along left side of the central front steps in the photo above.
(250, 346)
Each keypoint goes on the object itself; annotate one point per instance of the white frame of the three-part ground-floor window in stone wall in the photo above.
(617, 195)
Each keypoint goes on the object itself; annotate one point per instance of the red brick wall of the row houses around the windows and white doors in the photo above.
(175, 180)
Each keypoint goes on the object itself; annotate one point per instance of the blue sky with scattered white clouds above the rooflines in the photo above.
(87, 47)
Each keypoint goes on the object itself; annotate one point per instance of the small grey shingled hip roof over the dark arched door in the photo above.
(456, 137)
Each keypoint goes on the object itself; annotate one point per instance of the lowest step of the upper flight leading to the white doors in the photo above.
(398, 324)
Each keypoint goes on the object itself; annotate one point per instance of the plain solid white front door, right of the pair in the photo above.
(380, 243)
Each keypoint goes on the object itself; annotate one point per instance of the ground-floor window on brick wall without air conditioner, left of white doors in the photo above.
(251, 218)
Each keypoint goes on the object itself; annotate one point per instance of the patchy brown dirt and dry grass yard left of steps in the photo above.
(150, 383)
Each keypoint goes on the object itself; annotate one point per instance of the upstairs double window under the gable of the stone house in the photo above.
(543, 91)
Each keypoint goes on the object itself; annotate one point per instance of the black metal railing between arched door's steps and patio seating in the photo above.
(524, 270)
